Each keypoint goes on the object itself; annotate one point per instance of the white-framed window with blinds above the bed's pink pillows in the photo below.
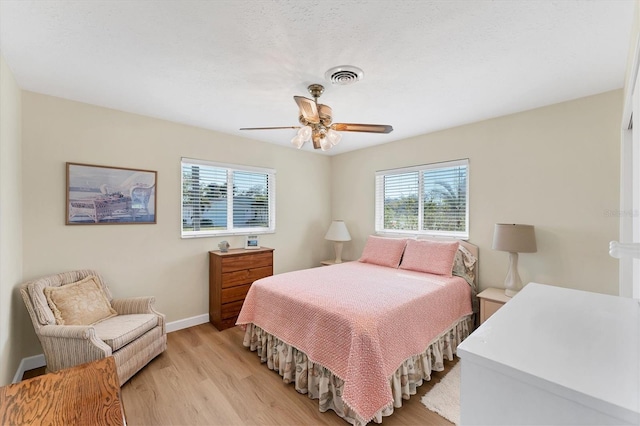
(430, 199)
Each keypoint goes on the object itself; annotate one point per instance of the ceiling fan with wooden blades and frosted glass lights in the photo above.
(316, 123)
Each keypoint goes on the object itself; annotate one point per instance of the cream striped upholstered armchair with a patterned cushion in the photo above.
(78, 321)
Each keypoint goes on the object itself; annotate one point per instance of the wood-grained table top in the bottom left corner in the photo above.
(88, 394)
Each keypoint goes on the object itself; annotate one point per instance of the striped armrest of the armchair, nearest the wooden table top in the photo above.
(65, 346)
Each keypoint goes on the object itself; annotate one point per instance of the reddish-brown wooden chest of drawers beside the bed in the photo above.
(230, 277)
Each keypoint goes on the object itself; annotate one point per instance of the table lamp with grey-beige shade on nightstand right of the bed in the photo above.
(514, 239)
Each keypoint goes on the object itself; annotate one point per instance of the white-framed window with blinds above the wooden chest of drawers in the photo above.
(209, 208)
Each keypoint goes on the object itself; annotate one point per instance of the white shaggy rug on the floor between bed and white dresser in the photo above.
(444, 397)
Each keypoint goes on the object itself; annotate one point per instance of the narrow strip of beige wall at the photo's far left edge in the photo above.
(10, 224)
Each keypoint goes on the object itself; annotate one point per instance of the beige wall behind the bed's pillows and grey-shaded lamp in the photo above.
(556, 168)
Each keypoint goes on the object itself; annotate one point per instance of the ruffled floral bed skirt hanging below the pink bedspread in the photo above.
(320, 383)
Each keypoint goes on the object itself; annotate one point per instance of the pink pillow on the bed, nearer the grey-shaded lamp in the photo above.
(434, 257)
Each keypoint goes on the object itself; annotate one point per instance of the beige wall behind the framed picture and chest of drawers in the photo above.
(153, 259)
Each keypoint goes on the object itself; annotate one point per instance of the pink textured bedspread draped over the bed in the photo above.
(361, 321)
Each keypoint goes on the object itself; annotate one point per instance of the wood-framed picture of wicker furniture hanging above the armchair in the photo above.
(100, 195)
